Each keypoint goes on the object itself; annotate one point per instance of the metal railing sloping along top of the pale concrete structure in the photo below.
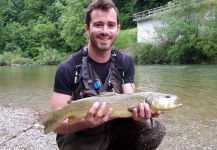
(151, 12)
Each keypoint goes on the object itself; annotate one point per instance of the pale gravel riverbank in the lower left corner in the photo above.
(20, 130)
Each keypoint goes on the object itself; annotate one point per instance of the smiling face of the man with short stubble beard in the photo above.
(103, 29)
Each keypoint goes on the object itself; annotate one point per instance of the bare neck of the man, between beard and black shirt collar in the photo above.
(99, 56)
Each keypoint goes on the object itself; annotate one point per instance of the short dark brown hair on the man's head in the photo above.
(100, 4)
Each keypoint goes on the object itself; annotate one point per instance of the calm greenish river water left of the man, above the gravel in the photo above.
(27, 86)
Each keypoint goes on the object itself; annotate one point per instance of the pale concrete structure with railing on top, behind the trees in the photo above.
(146, 22)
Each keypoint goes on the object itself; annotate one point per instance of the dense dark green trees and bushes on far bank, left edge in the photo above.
(25, 28)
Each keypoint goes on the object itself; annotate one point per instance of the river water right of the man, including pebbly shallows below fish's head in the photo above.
(194, 125)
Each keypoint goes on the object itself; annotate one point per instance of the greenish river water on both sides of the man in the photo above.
(194, 124)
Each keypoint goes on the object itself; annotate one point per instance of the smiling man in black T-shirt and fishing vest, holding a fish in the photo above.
(95, 68)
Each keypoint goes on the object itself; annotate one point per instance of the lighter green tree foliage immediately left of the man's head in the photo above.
(73, 25)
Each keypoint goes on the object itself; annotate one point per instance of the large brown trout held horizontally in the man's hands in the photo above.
(122, 105)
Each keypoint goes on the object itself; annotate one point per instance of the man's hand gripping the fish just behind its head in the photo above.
(143, 112)
